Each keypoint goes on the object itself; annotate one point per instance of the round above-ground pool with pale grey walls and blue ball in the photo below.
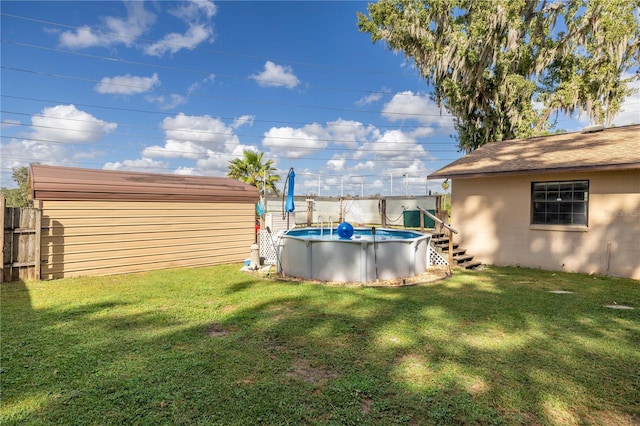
(353, 255)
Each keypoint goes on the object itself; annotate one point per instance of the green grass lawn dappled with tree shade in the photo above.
(218, 346)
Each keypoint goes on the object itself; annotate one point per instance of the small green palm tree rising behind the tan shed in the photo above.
(251, 170)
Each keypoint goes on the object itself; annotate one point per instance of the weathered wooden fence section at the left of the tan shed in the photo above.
(20, 242)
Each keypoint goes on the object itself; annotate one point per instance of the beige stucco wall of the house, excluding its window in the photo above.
(493, 216)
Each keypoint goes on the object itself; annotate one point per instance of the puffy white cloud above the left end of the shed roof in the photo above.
(65, 123)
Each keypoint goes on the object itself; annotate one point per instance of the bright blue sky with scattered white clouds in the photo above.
(185, 87)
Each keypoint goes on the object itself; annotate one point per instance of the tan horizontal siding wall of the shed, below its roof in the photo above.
(102, 238)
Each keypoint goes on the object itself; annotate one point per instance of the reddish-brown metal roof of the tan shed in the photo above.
(67, 183)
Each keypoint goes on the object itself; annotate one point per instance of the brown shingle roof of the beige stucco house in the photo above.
(614, 148)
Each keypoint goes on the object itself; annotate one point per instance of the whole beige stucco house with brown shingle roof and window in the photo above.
(561, 202)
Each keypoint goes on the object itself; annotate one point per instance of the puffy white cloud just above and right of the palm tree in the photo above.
(295, 143)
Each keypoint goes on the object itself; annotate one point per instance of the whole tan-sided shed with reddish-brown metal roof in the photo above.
(101, 222)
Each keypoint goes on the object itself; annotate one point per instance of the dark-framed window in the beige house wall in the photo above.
(559, 203)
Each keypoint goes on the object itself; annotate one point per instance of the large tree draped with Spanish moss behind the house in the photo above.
(506, 68)
